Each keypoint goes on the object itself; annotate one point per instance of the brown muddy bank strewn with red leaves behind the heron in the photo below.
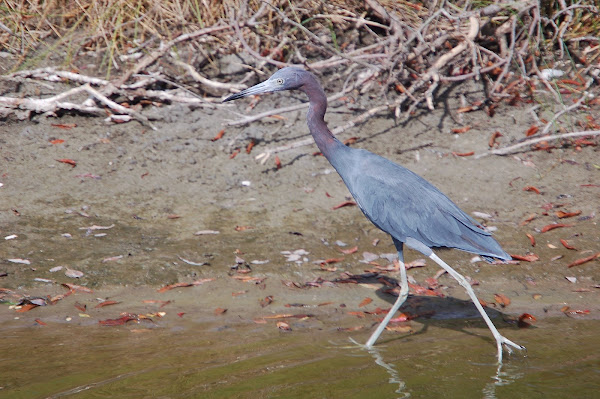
(150, 191)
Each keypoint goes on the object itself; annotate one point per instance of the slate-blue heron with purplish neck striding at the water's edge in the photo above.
(396, 200)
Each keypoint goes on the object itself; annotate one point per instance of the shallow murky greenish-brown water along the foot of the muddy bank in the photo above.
(205, 360)
